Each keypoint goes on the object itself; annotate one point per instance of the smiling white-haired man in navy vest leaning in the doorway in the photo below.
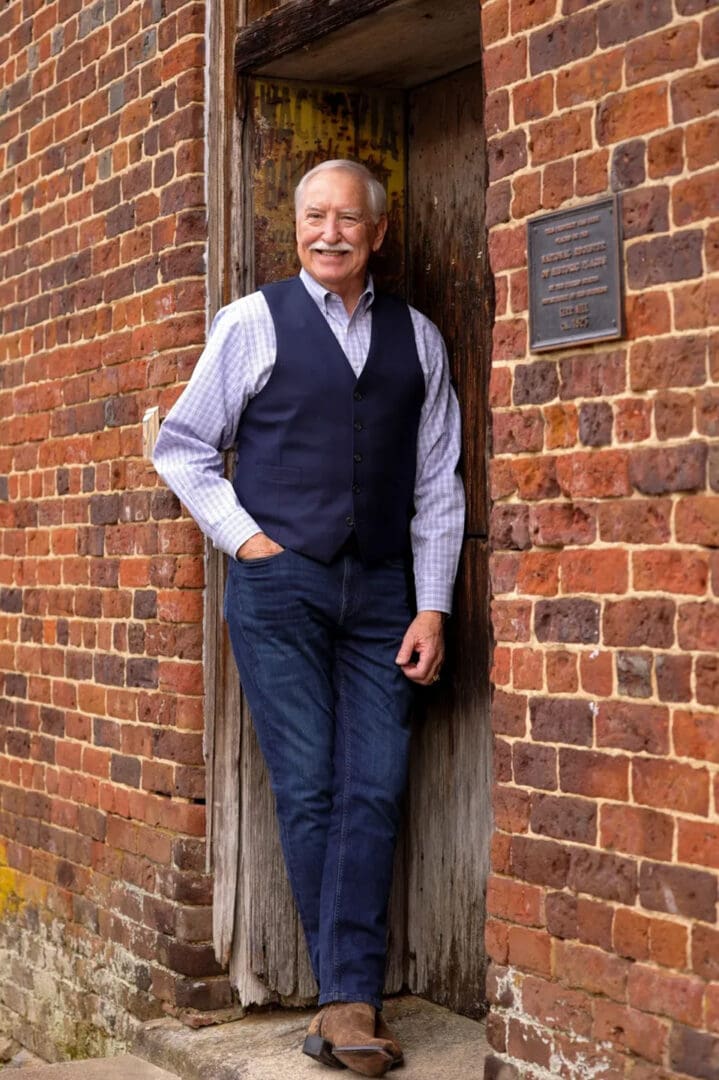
(338, 402)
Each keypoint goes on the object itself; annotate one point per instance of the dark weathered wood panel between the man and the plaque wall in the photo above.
(450, 798)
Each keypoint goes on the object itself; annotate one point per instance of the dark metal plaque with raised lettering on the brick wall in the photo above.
(575, 276)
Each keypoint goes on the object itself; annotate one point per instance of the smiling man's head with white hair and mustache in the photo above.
(336, 234)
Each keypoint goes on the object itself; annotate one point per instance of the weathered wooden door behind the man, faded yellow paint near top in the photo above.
(426, 141)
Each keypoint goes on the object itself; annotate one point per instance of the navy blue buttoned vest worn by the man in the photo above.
(321, 454)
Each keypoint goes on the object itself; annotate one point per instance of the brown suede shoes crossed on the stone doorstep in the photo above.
(345, 1036)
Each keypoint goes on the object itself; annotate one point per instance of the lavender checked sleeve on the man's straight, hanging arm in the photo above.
(438, 526)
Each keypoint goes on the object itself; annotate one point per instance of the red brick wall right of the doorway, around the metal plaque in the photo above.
(604, 896)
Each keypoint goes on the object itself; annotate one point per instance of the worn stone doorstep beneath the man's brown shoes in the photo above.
(267, 1046)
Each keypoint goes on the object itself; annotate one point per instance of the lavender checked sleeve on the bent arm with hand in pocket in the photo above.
(235, 367)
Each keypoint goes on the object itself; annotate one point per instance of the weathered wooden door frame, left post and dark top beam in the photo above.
(235, 51)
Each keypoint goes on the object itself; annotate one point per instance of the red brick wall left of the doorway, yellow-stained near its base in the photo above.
(104, 906)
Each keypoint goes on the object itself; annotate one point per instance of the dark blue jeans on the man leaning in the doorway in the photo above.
(316, 649)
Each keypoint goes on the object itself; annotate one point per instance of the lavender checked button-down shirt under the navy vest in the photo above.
(235, 367)
